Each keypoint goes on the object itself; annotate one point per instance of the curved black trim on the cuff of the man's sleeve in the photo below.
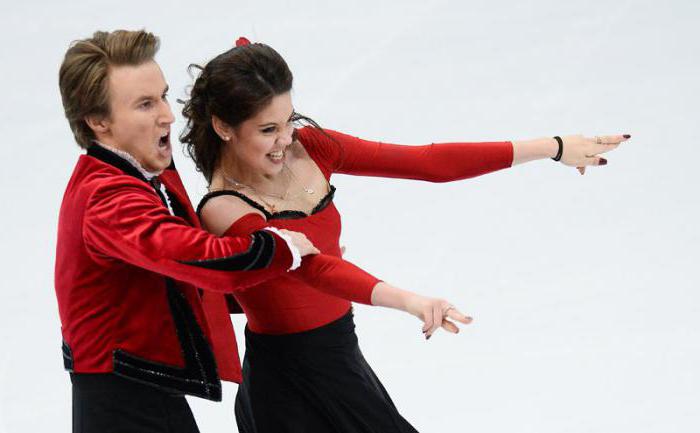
(258, 256)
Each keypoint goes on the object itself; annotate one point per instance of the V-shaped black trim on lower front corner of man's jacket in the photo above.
(199, 377)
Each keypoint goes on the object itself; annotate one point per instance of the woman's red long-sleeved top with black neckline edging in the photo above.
(288, 303)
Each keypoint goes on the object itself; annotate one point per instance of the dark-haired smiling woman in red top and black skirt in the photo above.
(303, 370)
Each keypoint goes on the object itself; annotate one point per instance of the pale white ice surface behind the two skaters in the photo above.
(585, 289)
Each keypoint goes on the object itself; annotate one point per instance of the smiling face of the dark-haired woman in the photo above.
(259, 144)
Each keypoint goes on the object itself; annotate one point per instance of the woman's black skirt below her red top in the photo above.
(313, 381)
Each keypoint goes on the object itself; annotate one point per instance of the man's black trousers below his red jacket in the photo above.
(107, 403)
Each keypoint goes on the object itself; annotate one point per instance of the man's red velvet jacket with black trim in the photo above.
(127, 271)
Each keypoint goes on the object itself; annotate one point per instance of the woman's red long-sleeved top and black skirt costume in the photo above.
(303, 369)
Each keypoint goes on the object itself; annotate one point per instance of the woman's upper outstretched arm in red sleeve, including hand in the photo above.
(444, 162)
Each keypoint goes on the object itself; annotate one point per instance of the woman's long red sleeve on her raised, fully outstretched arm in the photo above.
(436, 162)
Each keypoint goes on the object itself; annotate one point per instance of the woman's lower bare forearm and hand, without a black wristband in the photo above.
(434, 312)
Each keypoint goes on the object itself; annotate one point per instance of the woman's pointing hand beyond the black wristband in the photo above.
(580, 151)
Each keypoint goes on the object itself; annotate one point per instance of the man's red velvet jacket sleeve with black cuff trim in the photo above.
(125, 220)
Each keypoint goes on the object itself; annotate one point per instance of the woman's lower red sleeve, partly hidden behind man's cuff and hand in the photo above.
(326, 273)
